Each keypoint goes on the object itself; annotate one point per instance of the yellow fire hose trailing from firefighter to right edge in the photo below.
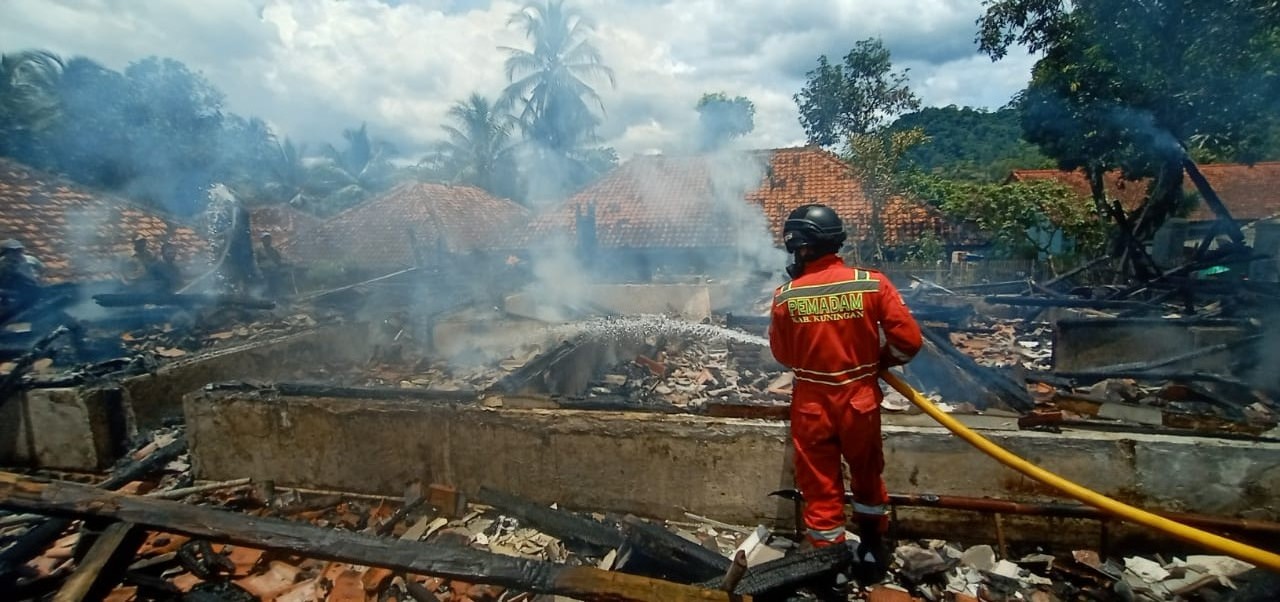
(1249, 554)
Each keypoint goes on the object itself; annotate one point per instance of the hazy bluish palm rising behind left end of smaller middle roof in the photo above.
(355, 172)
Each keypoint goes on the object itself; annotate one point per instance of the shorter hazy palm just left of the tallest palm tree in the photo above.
(479, 143)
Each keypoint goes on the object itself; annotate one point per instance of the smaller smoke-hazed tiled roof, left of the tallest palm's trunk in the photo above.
(442, 217)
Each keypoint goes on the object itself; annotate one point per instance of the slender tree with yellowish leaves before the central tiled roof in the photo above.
(877, 159)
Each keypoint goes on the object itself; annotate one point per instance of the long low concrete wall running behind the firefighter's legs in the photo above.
(665, 466)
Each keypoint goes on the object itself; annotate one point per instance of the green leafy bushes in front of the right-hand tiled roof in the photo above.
(1017, 216)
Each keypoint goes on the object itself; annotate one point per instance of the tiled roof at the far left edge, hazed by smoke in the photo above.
(81, 235)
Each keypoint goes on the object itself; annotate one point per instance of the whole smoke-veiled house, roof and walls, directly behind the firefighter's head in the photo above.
(696, 213)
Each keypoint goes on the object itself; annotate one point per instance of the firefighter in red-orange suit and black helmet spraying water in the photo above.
(836, 327)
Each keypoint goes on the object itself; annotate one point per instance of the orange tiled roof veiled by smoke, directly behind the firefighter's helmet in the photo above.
(692, 202)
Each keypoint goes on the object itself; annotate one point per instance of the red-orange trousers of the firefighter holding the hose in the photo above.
(821, 436)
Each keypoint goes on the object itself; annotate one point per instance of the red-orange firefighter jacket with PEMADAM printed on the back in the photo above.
(836, 327)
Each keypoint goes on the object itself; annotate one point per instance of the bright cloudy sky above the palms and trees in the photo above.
(316, 67)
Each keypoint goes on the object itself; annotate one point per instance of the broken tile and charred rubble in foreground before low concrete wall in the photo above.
(440, 518)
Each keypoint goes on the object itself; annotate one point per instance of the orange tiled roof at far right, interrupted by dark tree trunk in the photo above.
(1249, 191)
